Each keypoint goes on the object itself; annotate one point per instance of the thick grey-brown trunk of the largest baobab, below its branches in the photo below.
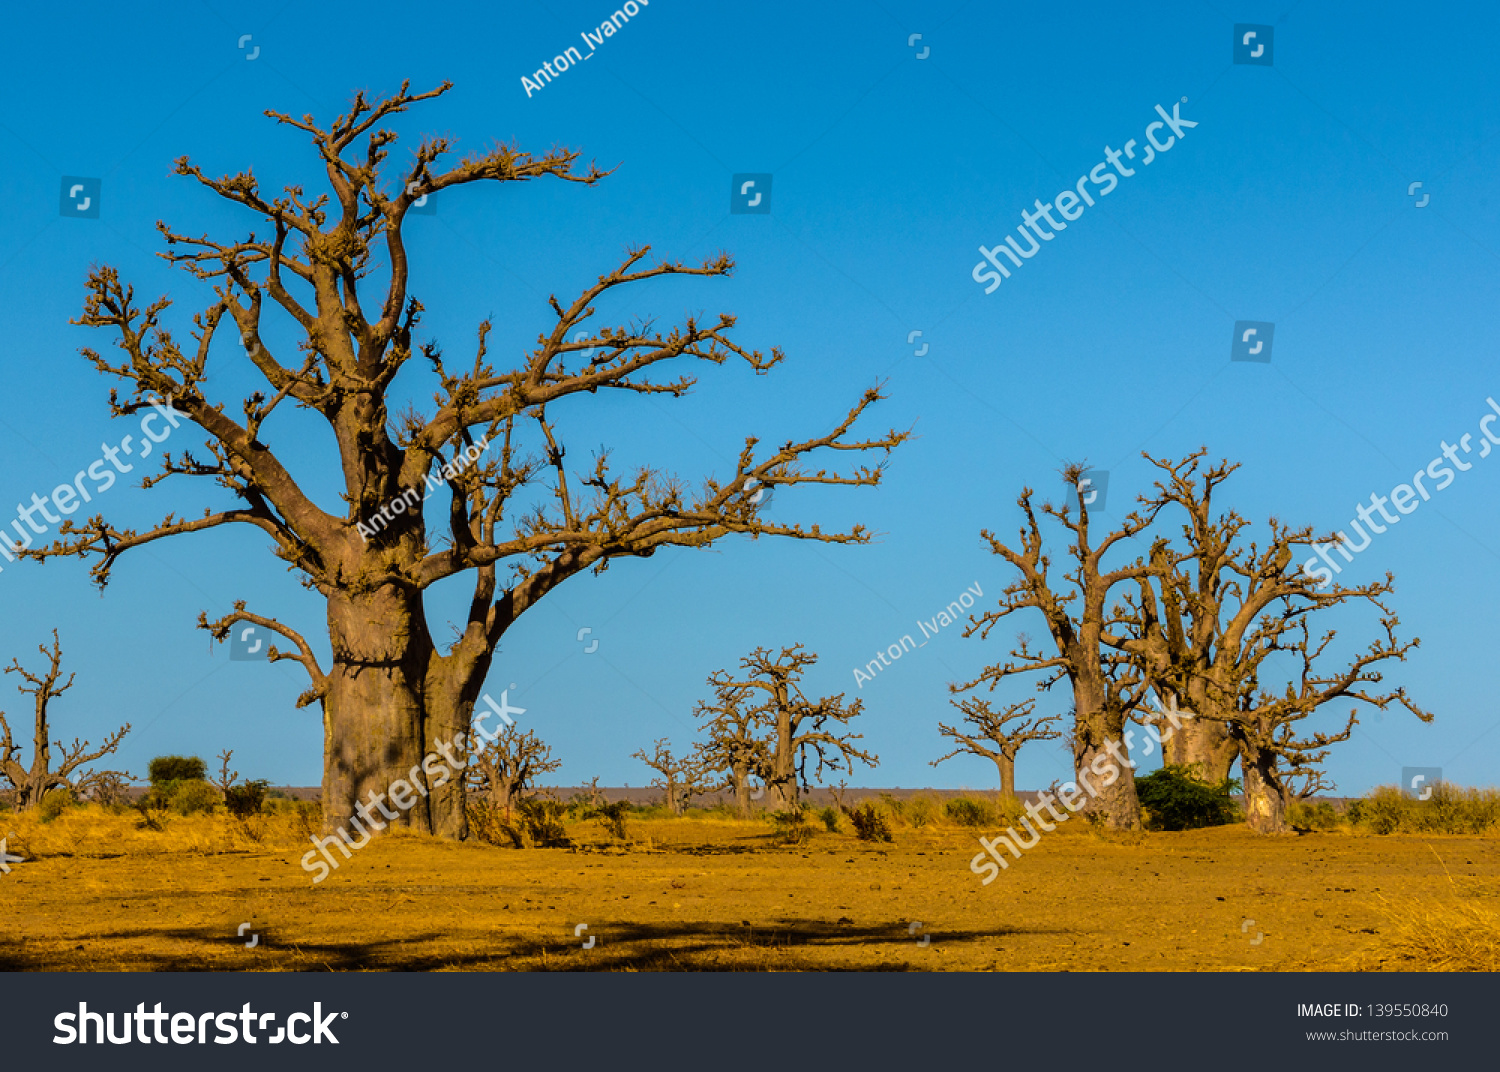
(379, 728)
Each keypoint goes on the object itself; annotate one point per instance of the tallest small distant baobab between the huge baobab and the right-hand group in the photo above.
(796, 728)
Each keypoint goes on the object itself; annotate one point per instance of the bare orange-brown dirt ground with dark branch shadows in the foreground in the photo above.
(721, 896)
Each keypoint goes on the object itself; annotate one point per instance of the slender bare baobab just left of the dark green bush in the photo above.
(1108, 687)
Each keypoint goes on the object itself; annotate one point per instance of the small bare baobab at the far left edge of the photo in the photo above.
(31, 783)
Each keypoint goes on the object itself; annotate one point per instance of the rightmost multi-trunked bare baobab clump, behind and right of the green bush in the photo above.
(1225, 608)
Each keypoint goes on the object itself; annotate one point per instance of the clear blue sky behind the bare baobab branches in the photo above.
(1286, 205)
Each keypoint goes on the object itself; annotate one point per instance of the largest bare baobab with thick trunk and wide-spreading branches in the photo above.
(335, 265)
